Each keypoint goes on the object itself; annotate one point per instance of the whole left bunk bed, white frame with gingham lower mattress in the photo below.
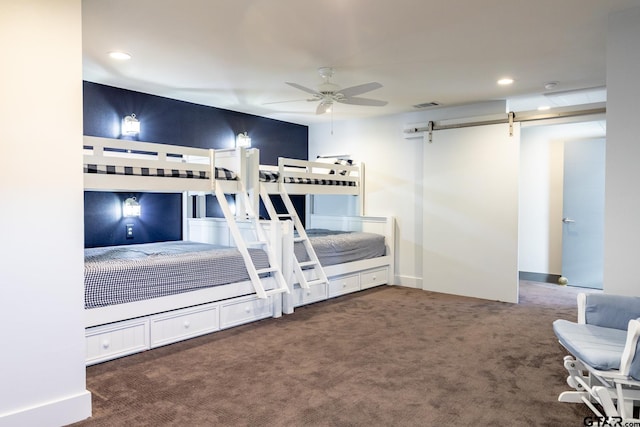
(139, 297)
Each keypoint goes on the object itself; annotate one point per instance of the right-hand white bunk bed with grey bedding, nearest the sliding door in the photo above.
(319, 274)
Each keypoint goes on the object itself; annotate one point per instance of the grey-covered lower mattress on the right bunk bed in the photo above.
(337, 247)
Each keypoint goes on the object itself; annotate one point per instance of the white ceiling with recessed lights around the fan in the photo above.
(238, 54)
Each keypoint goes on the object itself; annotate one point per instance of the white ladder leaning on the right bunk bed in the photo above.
(313, 263)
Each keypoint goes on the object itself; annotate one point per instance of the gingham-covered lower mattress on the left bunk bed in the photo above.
(122, 274)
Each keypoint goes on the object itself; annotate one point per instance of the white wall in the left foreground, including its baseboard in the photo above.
(42, 373)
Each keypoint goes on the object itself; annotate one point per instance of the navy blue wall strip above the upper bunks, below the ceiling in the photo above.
(169, 121)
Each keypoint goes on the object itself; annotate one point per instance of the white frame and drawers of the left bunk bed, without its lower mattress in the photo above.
(123, 329)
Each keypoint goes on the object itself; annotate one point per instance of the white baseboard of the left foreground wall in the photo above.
(60, 412)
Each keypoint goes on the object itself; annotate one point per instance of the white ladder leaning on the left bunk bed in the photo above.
(261, 241)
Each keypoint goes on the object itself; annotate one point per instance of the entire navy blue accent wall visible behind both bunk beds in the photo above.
(169, 121)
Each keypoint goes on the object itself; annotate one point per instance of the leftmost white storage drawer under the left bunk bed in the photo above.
(116, 340)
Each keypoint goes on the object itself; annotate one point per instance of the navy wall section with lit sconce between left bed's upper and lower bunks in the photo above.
(160, 218)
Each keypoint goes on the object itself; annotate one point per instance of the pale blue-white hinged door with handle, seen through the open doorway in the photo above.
(583, 212)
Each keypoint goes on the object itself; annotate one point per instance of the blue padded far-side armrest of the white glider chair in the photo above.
(609, 311)
